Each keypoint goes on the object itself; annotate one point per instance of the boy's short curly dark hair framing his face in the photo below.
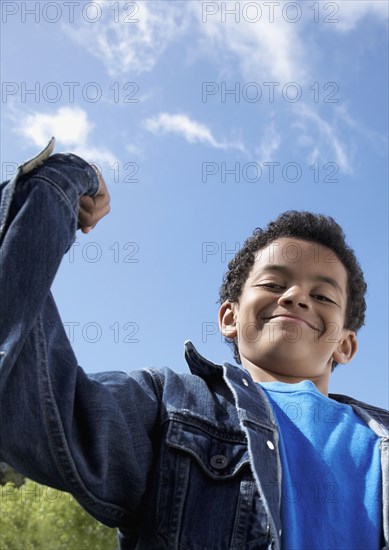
(308, 226)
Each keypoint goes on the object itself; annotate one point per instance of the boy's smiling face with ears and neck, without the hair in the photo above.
(289, 319)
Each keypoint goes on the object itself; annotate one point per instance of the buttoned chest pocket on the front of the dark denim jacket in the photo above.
(207, 496)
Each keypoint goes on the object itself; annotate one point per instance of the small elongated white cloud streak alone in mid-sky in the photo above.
(192, 131)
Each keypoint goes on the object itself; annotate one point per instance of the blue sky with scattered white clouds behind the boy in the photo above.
(208, 119)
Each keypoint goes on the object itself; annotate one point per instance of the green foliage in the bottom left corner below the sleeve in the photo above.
(36, 517)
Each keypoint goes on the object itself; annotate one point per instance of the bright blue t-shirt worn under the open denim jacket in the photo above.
(331, 472)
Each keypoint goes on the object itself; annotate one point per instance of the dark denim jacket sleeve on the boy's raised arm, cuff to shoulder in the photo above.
(90, 436)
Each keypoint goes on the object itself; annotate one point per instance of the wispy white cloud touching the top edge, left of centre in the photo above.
(133, 43)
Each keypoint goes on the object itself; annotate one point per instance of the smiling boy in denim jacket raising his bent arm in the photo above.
(225, 457)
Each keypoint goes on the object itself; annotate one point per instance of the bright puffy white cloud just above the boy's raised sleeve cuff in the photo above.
(71, 128)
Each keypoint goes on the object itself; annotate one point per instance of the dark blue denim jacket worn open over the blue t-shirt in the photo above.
(175, 461)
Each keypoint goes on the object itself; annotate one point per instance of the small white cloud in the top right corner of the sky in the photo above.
(352, 12)
